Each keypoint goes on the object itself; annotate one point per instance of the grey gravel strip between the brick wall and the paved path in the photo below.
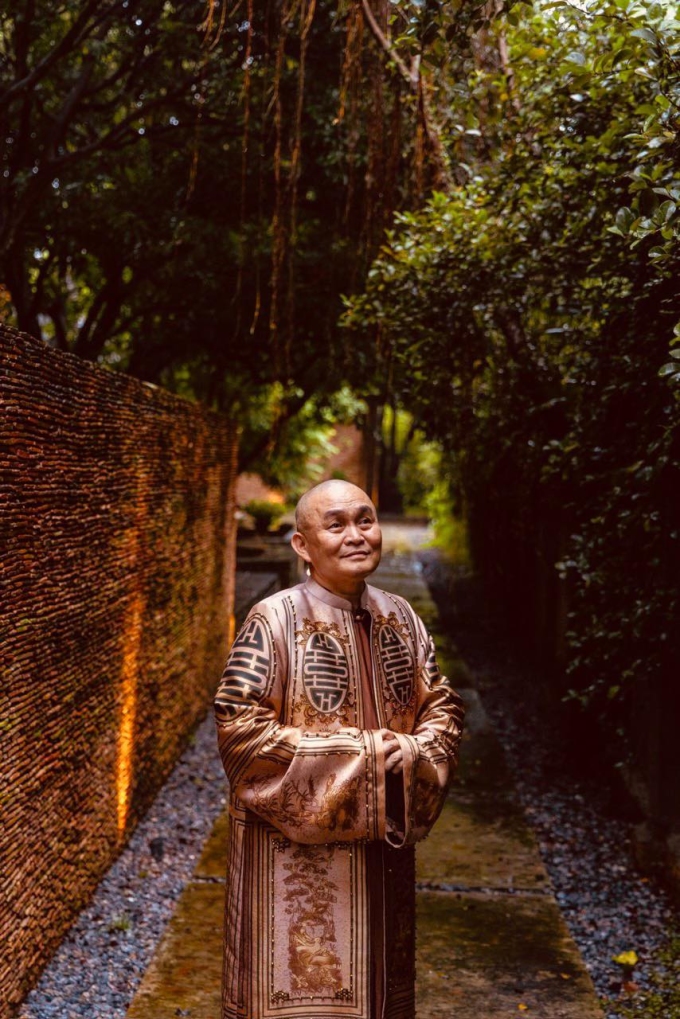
(99, 966)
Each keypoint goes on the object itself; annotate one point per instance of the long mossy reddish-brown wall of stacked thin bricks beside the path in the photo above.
(117, 519)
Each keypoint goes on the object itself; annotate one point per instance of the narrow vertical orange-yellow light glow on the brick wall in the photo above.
(131, 660)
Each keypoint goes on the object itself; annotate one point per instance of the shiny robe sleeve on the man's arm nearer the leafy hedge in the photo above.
(431, 750)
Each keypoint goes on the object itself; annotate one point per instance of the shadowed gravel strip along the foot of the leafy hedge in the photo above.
(609, 905)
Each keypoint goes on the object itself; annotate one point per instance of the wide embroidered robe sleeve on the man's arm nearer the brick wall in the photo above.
(315, 787)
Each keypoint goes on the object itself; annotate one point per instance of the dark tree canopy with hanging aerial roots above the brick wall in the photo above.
(188, 186)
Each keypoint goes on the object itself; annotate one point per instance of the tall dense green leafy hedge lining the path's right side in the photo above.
(530, 312)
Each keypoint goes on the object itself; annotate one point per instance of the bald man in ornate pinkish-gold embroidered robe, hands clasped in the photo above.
(339, 737)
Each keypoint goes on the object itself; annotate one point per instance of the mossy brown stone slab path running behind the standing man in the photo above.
(492, 941)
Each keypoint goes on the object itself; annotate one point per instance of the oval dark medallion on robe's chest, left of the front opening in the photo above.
(326, 670)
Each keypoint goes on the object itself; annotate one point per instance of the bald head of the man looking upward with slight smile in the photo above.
(339, 535)
